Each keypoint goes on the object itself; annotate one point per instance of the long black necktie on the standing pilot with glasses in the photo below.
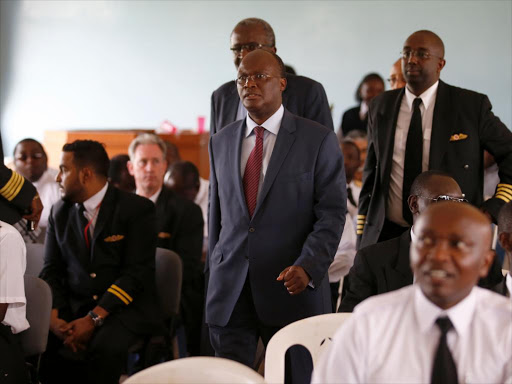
(413, 157)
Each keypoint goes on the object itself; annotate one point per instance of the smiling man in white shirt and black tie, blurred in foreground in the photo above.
(442, 329)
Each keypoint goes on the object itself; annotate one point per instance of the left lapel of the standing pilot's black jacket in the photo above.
(386, 133)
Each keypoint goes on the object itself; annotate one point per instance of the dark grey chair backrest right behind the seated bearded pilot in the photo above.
(168, 280)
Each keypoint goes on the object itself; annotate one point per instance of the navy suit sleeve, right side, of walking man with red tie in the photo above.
(330, 208)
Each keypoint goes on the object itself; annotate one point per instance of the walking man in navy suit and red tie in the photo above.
(277, 211)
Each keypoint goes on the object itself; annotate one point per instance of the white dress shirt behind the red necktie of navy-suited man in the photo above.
(272, 126)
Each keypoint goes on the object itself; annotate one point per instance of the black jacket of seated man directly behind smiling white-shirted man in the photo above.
(385, 267)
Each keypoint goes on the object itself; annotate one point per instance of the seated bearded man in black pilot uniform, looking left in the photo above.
(100, 265)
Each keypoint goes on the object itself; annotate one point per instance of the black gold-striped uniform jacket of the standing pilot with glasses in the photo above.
(463, 126)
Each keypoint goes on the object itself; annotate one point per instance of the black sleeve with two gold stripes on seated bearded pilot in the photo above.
(138, 262)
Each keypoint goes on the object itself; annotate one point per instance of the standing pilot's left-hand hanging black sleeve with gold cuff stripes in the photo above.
(369, 177)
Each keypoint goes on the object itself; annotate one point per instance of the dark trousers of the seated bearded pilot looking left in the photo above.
(102, 362)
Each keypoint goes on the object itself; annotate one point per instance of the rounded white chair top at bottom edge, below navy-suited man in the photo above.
(193, 370)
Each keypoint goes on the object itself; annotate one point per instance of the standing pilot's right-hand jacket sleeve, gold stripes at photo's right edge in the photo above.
(497, 139)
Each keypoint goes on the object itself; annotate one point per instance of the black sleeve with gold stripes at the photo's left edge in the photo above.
(16, 192)
